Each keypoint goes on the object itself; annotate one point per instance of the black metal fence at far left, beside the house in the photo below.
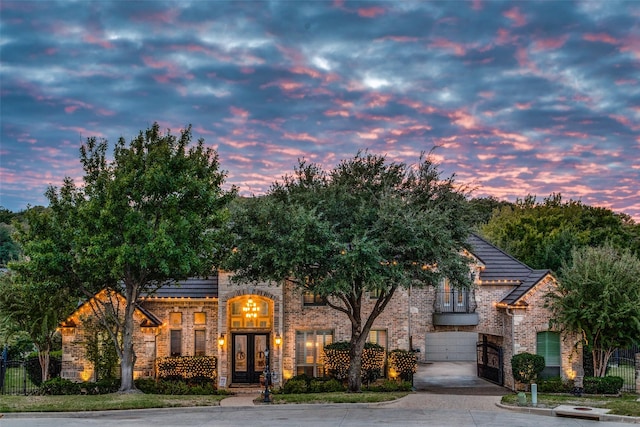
(24, 376)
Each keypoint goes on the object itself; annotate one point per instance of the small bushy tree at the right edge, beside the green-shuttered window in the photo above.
(598, 297)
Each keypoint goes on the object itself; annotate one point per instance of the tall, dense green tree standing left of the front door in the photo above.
(151, 216)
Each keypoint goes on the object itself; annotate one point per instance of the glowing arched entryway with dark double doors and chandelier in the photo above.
(250, 322)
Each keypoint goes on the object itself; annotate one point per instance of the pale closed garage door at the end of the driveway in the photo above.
(451, 346)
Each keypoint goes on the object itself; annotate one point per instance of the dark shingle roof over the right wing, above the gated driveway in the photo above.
(501, 268)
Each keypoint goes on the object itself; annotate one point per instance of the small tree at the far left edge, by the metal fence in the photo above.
(35, 308)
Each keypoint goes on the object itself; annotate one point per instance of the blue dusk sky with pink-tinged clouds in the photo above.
(519, 98)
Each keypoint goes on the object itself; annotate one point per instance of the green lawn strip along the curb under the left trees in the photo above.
(103, 402)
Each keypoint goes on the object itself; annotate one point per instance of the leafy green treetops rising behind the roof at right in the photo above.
(543, 234)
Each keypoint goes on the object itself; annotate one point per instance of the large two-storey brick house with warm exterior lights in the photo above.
(502, 315)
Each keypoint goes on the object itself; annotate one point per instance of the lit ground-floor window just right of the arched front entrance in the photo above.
(310, 352)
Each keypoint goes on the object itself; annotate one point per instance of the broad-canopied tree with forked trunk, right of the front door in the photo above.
(367, 225)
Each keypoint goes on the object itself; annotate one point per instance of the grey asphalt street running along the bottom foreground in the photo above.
(344, 415)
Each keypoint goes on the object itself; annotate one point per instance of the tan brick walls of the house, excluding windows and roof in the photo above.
(293, 328)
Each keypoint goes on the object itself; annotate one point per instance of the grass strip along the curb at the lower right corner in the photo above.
(626, 404)
